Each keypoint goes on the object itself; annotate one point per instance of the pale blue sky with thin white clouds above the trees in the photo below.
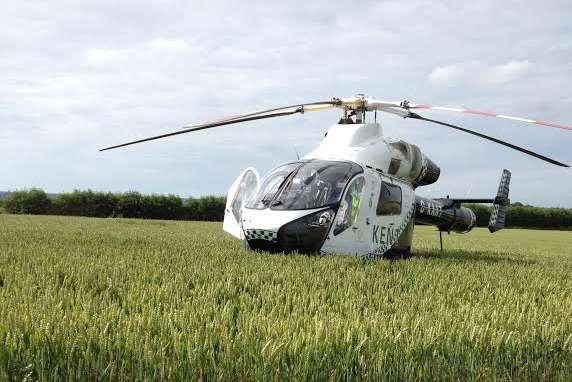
(76, 76)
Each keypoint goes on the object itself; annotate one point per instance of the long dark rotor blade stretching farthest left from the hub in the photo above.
(270, 113)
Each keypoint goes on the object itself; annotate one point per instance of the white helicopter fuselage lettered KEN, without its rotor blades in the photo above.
(353, 195)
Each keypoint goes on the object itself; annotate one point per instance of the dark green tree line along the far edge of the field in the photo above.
(211, 208)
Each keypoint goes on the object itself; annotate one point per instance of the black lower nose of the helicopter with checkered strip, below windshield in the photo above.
(303, 235)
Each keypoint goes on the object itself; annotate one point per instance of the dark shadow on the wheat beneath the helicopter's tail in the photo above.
(489, 257)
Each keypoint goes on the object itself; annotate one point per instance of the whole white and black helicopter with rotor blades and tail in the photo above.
(355, 193)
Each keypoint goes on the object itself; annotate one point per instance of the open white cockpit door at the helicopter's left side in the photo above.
(241, 191)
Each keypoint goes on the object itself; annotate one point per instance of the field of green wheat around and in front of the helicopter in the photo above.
(118, 299)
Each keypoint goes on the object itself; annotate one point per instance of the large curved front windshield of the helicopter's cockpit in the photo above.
(304, 185)
